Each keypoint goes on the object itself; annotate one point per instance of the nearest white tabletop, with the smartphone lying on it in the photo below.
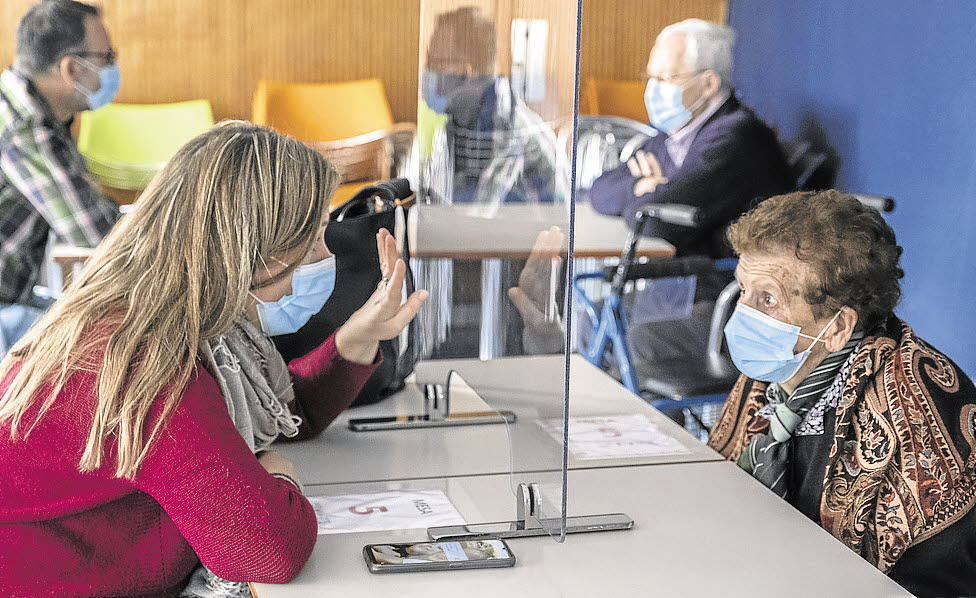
(702, 529)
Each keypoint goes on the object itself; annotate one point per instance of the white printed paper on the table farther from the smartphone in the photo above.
(614, 437)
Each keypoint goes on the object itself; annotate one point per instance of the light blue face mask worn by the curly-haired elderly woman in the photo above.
(762, 346)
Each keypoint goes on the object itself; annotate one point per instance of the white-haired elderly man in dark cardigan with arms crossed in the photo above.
(711, 152)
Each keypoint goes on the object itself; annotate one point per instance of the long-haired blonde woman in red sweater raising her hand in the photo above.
(121, 468)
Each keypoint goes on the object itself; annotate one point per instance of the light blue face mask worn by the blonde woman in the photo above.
(311, 286)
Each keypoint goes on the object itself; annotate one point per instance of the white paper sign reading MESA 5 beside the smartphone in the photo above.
(399, 509)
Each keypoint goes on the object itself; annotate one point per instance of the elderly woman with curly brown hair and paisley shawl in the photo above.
(841, 409)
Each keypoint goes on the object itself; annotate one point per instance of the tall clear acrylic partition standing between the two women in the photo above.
(491, 228)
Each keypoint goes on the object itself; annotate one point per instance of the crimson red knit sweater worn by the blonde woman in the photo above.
(199, 494)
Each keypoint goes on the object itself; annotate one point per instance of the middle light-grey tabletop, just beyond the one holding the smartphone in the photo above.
(532, 387)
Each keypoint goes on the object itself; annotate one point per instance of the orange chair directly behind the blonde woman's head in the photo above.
(350, 123)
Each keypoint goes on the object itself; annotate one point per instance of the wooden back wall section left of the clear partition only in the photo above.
(174, 50)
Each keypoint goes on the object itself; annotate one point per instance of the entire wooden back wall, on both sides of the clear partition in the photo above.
(218, 49)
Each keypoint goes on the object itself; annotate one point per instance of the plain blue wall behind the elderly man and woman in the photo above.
(891, 86)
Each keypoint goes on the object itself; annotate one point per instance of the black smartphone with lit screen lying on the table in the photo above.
(436, 556)
